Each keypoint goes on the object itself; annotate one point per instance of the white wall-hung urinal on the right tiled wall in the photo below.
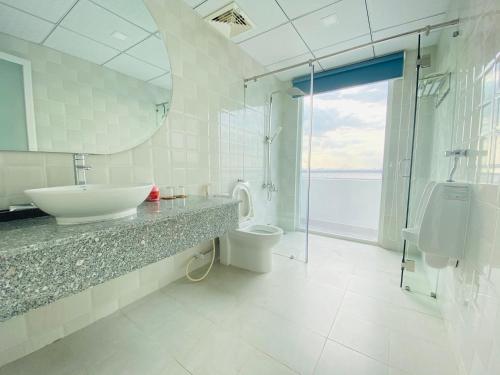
(444, 223)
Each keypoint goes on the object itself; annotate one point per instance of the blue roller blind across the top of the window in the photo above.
(377, 69)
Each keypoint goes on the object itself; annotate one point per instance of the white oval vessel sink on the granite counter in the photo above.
(87, 203)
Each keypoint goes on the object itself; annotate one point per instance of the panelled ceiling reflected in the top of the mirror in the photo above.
(118, 34)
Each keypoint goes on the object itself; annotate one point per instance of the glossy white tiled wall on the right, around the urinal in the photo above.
(470, 294)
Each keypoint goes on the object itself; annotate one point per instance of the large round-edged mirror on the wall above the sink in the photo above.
(84, 76)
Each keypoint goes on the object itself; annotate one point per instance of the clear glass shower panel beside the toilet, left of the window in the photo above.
(274, 162)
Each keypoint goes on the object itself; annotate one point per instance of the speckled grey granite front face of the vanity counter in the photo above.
(42, 276)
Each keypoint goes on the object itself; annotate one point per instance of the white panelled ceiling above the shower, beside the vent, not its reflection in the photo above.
(287, 32)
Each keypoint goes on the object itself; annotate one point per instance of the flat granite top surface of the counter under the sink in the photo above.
(32, 234)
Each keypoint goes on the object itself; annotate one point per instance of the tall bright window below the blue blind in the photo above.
(346, 160)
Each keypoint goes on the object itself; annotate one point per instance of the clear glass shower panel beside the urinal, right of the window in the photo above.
(435, 101)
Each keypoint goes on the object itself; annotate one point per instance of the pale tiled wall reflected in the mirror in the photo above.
(75, 99)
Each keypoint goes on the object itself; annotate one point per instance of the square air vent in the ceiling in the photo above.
(230, 20)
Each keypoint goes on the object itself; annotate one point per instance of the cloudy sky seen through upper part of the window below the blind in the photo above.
(348, 127)
